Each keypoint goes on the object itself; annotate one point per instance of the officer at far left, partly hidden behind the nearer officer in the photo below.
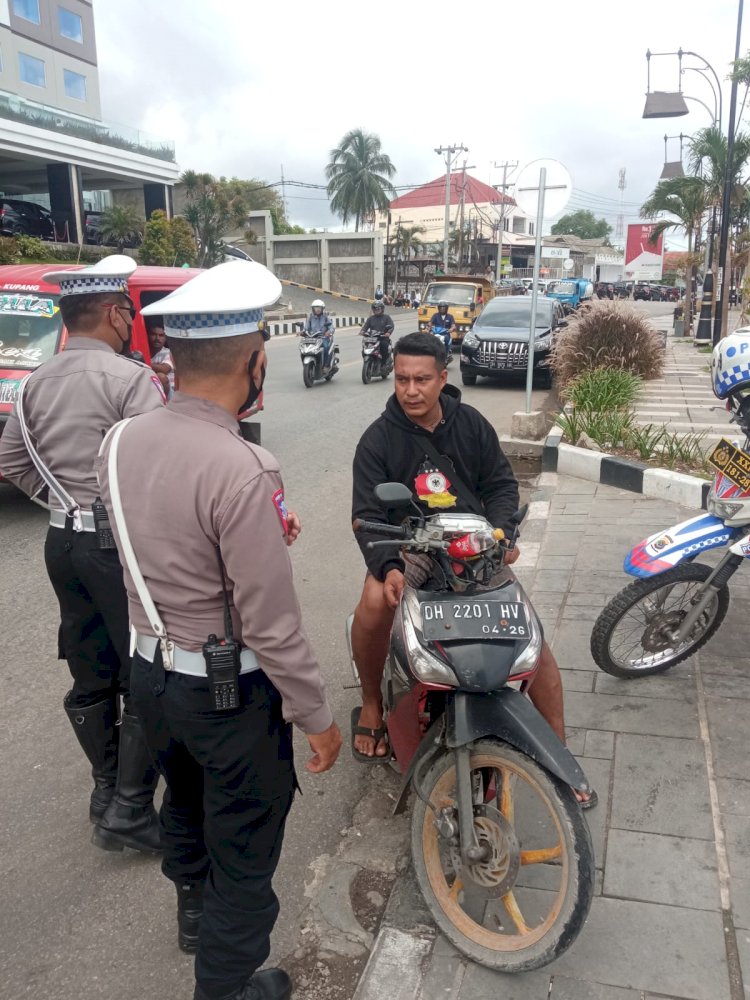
(68, 404)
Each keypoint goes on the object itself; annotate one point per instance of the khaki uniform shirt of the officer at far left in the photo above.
(70, 402)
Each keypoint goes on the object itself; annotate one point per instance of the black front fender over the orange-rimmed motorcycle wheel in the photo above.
(510, 716)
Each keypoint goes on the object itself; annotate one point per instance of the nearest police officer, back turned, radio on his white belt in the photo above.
(203, 530)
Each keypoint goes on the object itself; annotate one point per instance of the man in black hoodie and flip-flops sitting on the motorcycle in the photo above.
(424, 405)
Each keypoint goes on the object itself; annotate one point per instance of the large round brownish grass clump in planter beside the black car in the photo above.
(608, 335)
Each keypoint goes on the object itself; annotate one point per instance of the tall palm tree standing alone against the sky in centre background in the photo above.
(359, 177)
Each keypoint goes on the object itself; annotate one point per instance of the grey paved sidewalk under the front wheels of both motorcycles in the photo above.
(668, 757)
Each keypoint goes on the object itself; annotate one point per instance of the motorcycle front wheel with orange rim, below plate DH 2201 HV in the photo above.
(525, 903)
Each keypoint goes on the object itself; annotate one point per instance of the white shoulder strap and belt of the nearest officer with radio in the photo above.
(182, 661)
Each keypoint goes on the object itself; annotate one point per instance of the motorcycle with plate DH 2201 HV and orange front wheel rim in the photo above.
(495, 818)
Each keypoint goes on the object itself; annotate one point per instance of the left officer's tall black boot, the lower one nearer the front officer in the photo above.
(130, 819)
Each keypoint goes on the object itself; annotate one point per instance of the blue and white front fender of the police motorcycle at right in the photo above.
(665, 549)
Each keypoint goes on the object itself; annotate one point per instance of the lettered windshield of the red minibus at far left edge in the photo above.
(30, 328)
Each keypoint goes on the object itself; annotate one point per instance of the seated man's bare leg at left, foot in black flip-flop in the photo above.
(371, 631)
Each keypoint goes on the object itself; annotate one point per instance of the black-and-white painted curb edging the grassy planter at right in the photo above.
(597, 467)
